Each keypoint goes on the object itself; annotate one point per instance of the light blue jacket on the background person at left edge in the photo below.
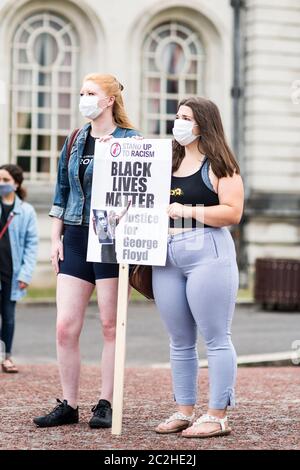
(23, 236)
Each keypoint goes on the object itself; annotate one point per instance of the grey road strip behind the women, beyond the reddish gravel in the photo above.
(254, 332)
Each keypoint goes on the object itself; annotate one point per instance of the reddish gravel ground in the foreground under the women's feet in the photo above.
(267, 415)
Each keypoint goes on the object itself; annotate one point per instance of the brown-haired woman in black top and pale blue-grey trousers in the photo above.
(206, 196)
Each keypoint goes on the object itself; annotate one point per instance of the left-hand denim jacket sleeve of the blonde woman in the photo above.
(62, 185)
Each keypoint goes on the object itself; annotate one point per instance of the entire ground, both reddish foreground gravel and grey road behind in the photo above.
(267, 415)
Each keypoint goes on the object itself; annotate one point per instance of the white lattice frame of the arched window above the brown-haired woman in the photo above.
(163, 34)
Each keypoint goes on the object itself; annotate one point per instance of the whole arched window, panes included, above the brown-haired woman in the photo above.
(173, 68)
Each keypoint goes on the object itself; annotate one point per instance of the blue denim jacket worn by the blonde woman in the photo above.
(71, 203)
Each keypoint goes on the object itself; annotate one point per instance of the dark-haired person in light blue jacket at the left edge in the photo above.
(18, 251)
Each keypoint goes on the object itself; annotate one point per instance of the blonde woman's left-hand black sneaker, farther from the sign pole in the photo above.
(61, 414)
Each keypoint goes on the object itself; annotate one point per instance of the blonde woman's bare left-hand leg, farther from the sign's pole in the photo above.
(72, 297)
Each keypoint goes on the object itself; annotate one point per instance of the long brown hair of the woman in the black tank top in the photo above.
(212, 141)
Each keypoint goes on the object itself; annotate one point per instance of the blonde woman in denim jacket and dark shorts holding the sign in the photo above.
(101, 102)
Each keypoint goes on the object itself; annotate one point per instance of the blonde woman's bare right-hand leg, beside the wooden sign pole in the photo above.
(107, 293)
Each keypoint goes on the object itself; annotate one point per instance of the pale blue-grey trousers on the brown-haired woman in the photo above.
(196, 290)
